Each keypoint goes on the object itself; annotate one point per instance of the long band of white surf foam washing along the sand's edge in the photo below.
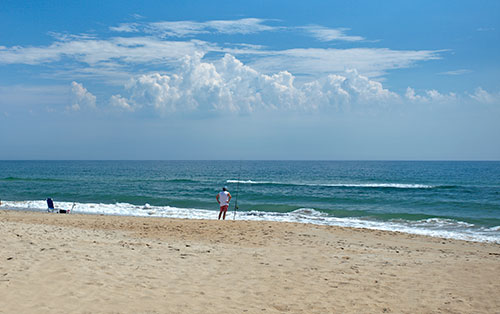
(435, 227)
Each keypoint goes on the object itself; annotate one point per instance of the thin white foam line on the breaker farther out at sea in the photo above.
(355, 185)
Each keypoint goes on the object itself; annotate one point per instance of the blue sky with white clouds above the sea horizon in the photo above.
(265, 80)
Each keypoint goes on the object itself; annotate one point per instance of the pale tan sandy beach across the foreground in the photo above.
(56, 263)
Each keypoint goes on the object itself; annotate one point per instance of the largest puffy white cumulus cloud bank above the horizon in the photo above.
(227, 85)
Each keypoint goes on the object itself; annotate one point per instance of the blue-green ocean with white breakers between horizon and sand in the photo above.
(451, 199)
